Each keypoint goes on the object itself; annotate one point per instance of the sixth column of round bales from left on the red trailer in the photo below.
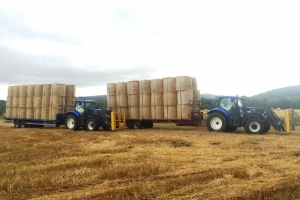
(170, 98)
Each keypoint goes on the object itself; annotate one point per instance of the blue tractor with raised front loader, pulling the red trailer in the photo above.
(231, 114)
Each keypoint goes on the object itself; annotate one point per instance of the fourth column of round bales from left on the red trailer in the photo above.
(145, 99)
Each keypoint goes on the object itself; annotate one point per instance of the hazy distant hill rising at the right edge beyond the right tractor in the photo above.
(290, 91)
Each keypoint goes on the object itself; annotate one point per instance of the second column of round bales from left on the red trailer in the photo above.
(122, 98)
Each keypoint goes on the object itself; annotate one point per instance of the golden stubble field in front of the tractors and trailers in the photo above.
(166, 162)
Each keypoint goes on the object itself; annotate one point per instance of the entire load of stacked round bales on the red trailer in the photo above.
(166, 98)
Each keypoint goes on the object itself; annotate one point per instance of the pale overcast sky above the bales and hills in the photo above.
(231, 47)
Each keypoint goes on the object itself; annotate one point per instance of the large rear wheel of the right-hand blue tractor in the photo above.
(216, 122)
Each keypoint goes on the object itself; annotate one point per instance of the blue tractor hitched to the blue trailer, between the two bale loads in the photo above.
(85, 115)
